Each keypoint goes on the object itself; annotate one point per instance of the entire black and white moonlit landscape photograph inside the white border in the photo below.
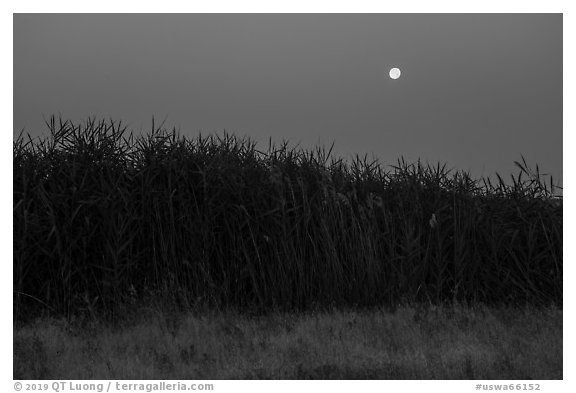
(288, 196)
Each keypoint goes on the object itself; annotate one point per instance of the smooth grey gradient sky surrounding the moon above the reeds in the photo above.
(476, 91)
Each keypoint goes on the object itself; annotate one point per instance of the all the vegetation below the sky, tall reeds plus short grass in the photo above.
(104, 219)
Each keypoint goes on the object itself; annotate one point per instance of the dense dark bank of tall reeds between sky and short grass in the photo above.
(103, 218)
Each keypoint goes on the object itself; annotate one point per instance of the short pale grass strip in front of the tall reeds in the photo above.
(410, 343)
